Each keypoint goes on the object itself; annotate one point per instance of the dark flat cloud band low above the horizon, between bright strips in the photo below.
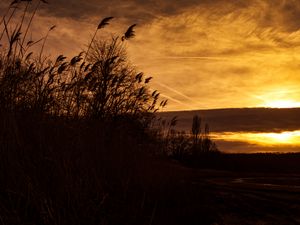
(241, 120)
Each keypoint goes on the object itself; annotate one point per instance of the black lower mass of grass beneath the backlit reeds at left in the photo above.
(57, 171)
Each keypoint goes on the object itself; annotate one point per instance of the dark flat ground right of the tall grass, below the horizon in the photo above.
(222, 197)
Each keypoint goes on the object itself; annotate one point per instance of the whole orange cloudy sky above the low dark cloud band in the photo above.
(203, 54)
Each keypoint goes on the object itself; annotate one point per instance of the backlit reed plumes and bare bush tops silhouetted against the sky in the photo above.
(98, 83)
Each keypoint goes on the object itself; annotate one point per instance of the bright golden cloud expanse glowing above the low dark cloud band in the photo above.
(223, 60)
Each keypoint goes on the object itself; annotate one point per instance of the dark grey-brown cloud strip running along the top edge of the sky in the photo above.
(283, 14)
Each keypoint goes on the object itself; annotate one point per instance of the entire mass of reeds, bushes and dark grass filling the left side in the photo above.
(76, 144)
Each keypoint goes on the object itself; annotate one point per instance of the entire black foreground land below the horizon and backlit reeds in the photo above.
(69, 173)
